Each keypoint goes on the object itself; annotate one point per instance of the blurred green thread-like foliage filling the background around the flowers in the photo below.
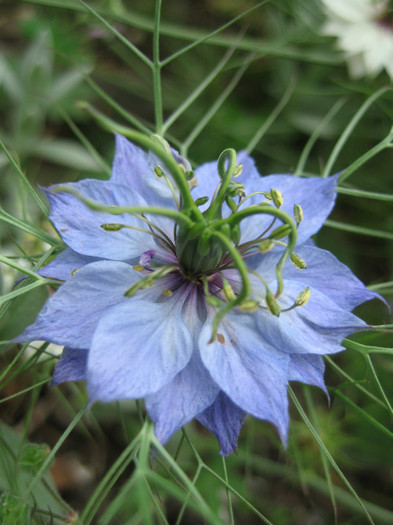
(210, 75)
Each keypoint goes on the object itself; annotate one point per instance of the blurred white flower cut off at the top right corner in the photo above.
(364, 32)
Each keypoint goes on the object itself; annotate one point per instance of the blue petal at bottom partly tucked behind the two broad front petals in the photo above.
(188, 394)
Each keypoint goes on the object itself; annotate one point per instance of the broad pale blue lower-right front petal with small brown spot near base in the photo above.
(251, 372)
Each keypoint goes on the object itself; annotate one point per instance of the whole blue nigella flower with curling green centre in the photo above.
(185, 288)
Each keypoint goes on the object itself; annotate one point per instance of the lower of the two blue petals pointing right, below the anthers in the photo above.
(316, 328)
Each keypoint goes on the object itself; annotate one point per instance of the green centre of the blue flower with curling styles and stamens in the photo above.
(205, 244)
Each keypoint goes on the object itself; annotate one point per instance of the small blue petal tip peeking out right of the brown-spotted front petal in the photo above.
(307, 369)
